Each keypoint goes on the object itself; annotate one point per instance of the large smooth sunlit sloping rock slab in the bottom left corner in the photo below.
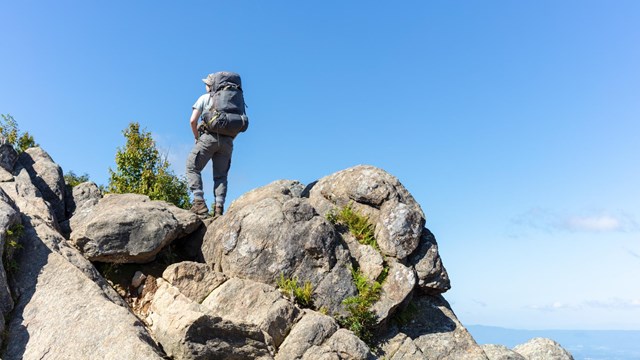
(64, 308)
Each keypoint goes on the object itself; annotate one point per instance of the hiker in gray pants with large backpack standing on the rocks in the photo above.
(223, 116)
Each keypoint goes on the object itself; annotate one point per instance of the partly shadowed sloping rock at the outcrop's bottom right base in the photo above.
(431, 332)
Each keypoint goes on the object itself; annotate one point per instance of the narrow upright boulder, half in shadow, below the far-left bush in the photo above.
(47, 176)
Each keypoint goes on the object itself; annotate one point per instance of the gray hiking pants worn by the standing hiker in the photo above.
(217, 148)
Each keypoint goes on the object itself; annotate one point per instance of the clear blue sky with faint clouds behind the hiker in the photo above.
(513, 123)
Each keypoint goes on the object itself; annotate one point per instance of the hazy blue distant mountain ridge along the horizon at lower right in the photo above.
(583, 344)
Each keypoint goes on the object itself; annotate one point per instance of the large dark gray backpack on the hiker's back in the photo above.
(227, 115)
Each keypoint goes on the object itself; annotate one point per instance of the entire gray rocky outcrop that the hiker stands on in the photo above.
(220, 299)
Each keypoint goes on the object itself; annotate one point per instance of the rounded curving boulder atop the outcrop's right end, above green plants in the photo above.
(396, 216)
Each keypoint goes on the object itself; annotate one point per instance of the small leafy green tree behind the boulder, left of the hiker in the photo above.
(141, 169)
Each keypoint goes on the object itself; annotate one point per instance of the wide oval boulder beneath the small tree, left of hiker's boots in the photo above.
(129, 228)
